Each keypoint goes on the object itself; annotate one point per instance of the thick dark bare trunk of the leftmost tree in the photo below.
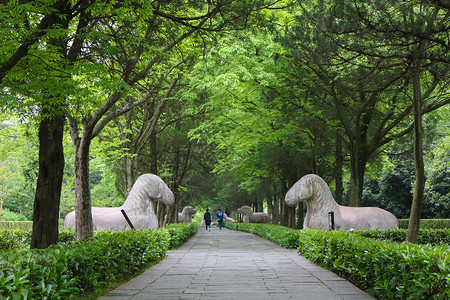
(49, 181)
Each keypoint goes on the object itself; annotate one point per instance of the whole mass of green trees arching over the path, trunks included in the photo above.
(230, 102)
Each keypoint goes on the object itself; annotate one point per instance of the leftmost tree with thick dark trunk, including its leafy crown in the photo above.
(46, 39)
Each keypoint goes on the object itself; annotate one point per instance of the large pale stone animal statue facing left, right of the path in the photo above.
(315, 191)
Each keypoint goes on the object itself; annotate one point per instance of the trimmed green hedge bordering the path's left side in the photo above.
(77, 268)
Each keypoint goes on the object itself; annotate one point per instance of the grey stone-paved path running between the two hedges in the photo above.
(226, 264)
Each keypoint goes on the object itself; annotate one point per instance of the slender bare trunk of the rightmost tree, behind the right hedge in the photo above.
(416, 208)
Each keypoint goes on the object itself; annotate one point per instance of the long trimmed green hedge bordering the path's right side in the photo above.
(386, 269)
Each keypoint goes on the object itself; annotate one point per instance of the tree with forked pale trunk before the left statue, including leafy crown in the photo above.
(136, 38)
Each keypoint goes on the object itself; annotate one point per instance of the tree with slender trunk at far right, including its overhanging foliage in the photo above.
(411, 36)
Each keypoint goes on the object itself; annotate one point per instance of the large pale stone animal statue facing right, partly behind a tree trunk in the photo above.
(139, 207)
